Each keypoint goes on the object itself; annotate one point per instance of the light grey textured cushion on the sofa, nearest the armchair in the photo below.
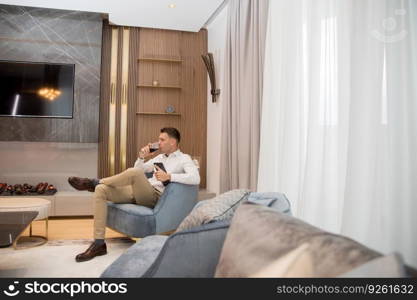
(219, 208)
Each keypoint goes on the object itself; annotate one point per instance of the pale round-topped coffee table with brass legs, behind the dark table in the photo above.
(39, 205)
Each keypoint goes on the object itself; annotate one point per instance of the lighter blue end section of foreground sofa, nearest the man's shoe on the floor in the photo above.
(137, 259)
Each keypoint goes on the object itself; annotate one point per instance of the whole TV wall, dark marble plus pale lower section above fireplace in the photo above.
(49, 150)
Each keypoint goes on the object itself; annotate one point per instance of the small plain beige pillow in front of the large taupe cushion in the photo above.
(297, 263)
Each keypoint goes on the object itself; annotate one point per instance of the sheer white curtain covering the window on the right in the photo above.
(339, 117)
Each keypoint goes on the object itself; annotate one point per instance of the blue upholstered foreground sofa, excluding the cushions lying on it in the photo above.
(189, 253)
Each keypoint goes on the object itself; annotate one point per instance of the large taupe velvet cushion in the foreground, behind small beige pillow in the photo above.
(259, 235)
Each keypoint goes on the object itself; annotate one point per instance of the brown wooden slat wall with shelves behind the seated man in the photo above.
(190, 100)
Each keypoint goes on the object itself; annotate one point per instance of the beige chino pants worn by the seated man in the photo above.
(130, 186)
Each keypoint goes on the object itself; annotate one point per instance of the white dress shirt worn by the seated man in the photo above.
(179, 165)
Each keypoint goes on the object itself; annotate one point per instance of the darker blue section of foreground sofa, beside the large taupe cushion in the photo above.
(191, 253)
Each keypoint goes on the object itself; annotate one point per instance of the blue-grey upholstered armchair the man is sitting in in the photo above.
(138, 221)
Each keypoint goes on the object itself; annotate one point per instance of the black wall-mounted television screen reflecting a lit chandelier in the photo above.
(29, 89)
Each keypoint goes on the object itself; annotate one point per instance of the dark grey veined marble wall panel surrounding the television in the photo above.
(56, 36)
